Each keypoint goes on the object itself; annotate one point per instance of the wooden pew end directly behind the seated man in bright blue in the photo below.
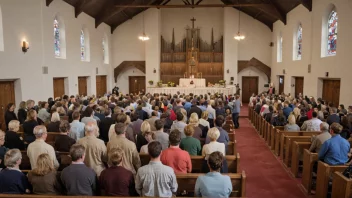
(323, 177)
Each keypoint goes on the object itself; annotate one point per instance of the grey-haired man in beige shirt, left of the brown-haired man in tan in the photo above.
(95, 155)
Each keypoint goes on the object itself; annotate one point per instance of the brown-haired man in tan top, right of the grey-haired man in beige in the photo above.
(130, 159)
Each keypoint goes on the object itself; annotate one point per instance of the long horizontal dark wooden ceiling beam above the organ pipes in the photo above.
(194, 6)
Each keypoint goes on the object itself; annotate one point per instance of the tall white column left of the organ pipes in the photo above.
(152, 46)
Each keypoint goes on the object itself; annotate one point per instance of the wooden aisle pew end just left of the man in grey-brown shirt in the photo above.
(297, 152)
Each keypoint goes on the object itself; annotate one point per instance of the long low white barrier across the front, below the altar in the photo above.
(230, 90)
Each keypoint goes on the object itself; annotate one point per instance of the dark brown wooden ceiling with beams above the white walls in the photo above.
(116, 12)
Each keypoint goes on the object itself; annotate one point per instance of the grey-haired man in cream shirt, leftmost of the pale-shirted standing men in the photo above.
(39, 146)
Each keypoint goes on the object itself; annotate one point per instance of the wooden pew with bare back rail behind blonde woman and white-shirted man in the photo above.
(279, 141)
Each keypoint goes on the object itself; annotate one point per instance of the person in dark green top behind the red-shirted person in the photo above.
(191, 144)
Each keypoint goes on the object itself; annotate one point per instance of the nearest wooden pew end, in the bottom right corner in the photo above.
(341, 186)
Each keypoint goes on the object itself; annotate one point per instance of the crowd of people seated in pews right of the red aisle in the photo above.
(308, 114)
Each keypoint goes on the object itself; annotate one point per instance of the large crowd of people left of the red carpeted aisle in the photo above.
(105, 136)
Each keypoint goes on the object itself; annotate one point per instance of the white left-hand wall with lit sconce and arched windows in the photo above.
(33, 21)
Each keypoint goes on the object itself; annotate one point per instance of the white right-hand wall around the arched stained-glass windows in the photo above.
(337, 66)
